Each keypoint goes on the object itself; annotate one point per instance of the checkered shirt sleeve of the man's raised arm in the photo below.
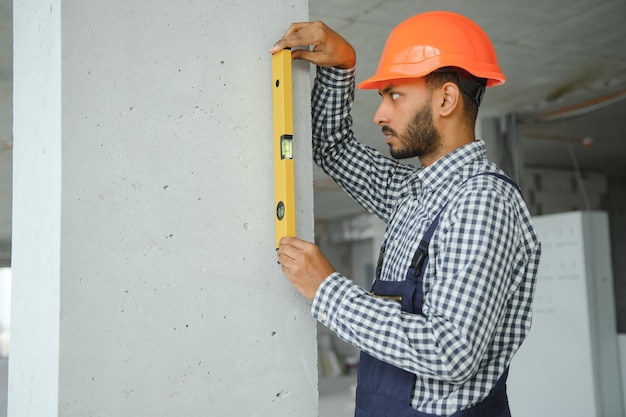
(373, 180)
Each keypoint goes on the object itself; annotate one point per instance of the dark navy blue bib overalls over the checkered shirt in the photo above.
(384, 390)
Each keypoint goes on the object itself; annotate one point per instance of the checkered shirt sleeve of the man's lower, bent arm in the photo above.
(479, 246)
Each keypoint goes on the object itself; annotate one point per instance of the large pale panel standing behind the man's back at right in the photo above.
(561, 368)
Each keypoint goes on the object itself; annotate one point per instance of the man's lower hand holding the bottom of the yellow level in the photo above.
(304, 265)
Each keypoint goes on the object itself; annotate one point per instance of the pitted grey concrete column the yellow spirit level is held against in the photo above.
(144, 274)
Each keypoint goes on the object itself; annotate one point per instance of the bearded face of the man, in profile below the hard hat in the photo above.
(405, 115)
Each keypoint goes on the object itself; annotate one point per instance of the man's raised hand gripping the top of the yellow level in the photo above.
(329, 48)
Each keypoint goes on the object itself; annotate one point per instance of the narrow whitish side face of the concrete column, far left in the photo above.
(36, 249)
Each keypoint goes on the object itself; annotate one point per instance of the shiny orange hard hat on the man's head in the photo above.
(429, 41)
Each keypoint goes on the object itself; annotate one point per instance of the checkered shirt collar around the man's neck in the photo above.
(443, 169)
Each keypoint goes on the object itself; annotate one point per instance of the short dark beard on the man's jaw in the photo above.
(420, 138)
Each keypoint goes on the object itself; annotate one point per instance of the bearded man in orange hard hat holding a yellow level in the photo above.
(451, 302)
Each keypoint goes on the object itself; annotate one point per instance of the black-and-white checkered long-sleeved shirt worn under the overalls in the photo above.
(483, 258)
